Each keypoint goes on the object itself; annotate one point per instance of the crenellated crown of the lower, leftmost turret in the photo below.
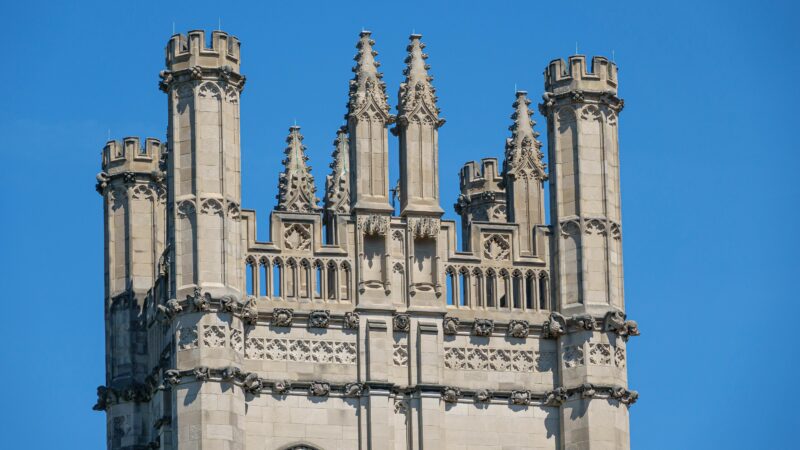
(129, 155)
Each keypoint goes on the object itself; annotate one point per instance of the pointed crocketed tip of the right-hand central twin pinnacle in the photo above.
(417, 95)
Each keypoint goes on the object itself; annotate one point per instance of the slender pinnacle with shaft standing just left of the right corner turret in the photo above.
(523, 177)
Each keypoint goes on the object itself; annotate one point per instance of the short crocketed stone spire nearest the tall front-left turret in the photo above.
(296, 184)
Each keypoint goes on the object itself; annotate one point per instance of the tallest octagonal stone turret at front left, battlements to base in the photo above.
(204, 236)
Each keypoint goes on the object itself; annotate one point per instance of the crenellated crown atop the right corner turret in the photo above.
(575, 75)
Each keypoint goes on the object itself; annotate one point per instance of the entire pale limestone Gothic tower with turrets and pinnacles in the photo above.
(352, 327)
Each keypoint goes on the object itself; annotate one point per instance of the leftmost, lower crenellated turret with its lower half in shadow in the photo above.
(132, 186)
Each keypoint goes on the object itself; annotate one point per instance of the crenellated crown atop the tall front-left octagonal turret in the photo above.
(186, 51)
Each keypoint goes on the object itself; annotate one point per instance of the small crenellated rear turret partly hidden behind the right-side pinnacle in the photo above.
(482, 198)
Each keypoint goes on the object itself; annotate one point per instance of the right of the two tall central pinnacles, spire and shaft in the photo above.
(417, 125)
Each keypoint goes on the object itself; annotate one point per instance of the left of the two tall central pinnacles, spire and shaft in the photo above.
(367, 118)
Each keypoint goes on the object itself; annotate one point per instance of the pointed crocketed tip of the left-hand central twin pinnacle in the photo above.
(366, 87)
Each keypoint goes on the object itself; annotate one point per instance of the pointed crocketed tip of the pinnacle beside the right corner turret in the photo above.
(523, 150)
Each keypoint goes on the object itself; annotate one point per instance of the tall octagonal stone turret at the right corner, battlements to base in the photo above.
(581, 106)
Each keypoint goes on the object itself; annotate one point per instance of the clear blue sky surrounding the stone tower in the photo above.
(709, 159)
